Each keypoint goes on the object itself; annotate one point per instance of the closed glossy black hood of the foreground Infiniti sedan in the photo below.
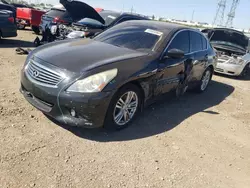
(83, 54)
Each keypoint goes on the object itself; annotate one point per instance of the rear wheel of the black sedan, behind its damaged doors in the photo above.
(206, 77)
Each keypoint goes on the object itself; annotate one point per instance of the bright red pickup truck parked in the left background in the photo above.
(29, 17)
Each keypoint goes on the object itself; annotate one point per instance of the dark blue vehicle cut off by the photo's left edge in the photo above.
(7, 24)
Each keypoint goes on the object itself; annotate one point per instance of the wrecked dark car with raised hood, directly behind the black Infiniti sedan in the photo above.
(87, 22)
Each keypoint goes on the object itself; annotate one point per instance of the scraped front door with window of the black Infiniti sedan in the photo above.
(170, 69)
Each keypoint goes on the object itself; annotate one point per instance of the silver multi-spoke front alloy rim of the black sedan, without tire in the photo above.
(125, 108)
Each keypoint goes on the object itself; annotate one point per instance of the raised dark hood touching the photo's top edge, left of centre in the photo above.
(79, 10)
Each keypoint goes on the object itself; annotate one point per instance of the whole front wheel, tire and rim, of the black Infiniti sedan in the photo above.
(123, 107)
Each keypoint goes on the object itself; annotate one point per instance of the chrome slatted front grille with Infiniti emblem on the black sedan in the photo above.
(42, 75)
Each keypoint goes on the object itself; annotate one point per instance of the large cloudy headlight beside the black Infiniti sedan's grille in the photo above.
(94, 83)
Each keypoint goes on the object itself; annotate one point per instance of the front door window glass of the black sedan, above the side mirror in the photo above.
(181, 42)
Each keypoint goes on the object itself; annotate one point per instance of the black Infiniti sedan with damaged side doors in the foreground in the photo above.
(105, 81)
